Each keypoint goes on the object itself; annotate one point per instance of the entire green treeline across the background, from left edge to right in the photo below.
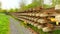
(34, 3)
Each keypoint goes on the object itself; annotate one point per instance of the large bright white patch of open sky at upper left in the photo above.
(7, 4)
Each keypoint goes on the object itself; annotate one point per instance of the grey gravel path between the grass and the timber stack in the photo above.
(16, 28)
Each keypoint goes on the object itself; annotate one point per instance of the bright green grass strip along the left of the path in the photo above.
(4, 24)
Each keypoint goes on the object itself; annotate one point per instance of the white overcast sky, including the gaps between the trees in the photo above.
(7, 4)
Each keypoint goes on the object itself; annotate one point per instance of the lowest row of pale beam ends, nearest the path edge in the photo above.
(47, 28)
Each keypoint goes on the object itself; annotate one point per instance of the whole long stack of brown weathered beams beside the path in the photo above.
(45, 19)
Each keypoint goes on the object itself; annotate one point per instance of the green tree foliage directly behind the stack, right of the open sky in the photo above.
(36, 3)
